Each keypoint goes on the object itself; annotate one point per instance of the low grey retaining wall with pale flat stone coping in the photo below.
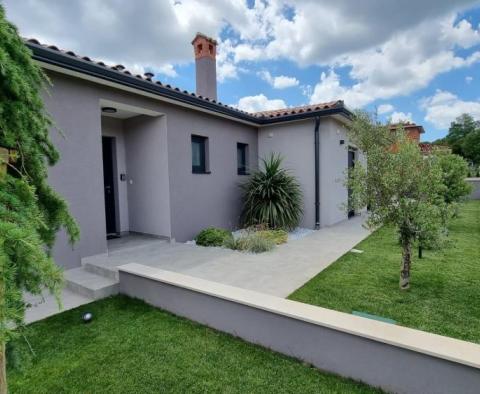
(397, 359)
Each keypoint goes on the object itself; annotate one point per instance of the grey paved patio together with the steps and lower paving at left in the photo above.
(278, 272)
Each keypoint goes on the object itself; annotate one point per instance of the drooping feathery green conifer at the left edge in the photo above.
(31, 212)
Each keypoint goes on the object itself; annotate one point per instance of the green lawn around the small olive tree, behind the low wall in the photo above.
(444, 297)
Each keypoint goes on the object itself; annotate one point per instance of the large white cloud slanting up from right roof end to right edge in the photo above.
(407, 62)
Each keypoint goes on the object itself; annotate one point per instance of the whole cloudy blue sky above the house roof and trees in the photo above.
(411, 60)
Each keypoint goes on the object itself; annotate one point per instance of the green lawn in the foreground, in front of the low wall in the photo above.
(131, 347)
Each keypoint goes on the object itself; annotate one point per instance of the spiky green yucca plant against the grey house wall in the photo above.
(272, 196)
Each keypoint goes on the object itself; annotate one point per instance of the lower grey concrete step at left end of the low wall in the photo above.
(89, 284)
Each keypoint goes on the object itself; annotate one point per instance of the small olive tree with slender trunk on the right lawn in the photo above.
(400, 186)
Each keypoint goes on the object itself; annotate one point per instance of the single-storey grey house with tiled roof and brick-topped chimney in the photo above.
(138, 156)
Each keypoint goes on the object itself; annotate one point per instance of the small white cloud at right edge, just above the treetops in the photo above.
(443, 107)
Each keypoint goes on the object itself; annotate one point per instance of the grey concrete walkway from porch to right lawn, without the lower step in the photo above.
(278, 272)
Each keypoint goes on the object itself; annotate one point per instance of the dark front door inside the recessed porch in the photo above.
(108, 183)
